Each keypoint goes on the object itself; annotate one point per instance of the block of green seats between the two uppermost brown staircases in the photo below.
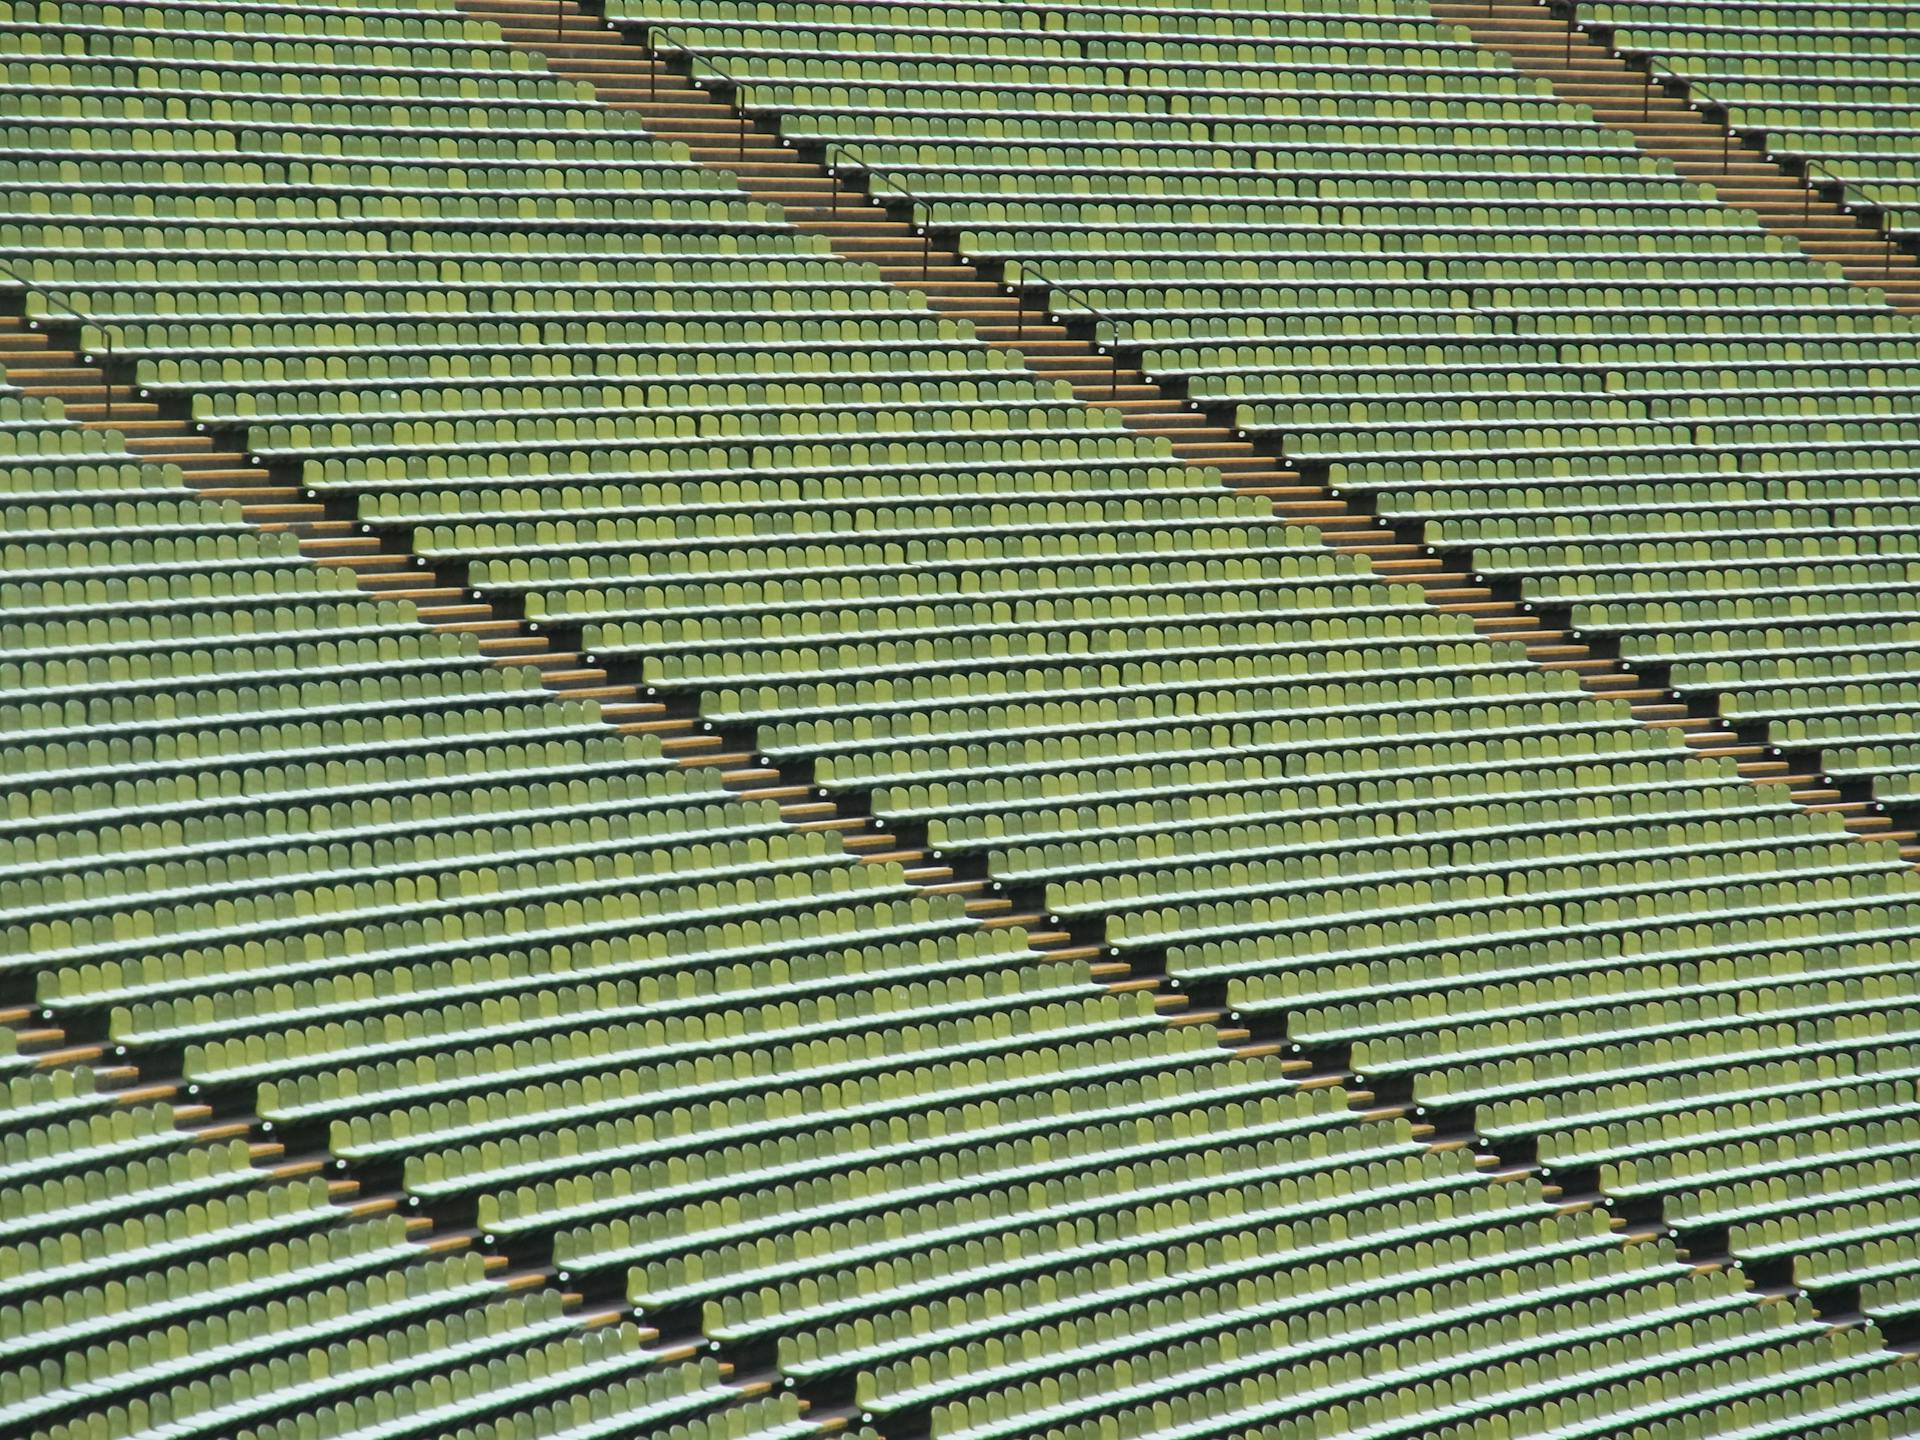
(1449, 291)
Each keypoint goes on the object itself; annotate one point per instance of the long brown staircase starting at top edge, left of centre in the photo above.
(660, 93)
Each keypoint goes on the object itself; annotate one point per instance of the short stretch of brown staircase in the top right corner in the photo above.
(1668, 124)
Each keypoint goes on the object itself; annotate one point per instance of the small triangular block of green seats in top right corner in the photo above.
(1829, 87)
